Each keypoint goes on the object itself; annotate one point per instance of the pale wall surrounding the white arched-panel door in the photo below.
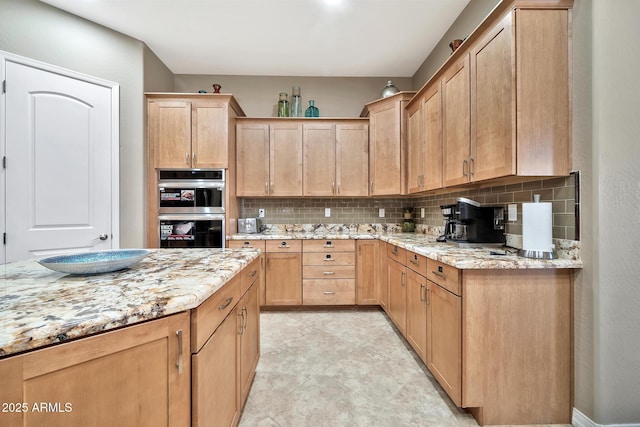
(32, 29)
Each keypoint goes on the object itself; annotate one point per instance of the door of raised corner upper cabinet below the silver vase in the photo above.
(384, 151)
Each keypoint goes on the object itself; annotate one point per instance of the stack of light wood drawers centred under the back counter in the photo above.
(328, 272)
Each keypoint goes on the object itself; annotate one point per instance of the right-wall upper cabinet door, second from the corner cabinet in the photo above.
(432, 130)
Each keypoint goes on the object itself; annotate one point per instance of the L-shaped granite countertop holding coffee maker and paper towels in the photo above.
(459, 256)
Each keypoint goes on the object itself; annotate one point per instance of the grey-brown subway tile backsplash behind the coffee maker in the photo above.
(559, 191)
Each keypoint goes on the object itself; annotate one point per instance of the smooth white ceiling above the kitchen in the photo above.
(345, 38)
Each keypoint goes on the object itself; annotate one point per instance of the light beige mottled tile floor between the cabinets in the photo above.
(342, 368)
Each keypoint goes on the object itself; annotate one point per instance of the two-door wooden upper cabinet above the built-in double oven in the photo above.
(191, 131)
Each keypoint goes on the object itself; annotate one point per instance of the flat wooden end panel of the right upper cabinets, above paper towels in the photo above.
(542, 40)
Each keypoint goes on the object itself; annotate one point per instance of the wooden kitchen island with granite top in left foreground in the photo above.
(133, 347)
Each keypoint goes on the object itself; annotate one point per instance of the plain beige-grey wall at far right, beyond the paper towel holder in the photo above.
(615, 206)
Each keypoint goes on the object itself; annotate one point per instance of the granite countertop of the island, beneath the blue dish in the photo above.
(39, 307)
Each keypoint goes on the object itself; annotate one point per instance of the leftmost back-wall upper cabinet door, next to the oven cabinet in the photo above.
(252, 160)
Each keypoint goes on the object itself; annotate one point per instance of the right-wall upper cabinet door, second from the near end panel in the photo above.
(456, 123)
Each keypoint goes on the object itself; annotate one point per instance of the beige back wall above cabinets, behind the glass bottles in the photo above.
(258, 95)
